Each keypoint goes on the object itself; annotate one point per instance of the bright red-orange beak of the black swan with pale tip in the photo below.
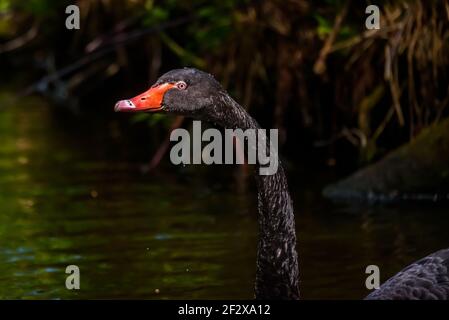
(149, 101)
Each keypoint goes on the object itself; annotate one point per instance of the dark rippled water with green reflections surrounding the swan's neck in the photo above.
(71, 195)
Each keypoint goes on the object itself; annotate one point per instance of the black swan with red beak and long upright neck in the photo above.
(197, 94)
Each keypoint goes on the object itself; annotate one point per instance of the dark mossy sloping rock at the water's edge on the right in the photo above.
(418, 170)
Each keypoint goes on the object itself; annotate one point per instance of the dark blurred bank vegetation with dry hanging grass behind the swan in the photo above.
(309, 68)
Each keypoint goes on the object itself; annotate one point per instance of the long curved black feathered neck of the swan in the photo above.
(277, 274)
